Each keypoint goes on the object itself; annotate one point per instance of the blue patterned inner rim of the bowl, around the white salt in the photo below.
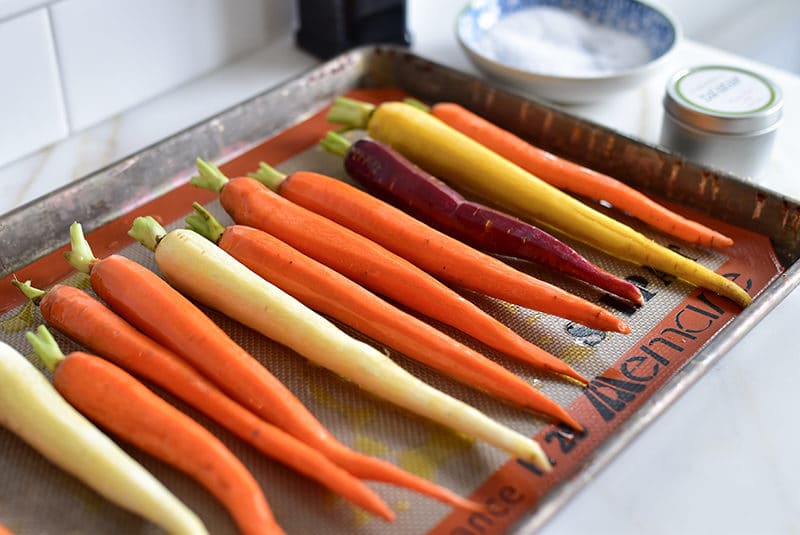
(630, 16)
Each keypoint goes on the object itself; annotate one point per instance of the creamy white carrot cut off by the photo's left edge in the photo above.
(32, 409)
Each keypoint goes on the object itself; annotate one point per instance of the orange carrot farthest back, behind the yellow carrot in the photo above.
(570, 176)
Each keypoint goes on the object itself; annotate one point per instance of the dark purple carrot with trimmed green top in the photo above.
(387, 174)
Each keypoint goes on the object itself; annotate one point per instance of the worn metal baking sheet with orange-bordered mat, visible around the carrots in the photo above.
(280, 125)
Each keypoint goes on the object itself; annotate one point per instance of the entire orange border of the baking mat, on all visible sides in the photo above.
(608, 400)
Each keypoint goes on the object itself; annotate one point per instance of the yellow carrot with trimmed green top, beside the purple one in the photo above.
(467, 165)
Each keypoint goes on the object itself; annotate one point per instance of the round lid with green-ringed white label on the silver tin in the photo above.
(722, 99)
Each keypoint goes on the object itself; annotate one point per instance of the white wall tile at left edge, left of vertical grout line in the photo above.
(31, 106)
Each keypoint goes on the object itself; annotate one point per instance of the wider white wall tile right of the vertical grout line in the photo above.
(115, 54)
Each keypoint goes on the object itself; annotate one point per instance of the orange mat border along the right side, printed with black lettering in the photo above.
(613, 396)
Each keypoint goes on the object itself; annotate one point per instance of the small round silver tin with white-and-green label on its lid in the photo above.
(723, 117)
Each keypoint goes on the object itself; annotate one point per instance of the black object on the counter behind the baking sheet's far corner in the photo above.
(329, 27)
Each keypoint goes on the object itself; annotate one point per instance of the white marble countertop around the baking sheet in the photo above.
(721, 459)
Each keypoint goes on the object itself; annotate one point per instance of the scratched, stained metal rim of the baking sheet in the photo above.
(38, 227)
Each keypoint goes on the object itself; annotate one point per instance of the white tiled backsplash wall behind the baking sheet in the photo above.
(69, 64)
